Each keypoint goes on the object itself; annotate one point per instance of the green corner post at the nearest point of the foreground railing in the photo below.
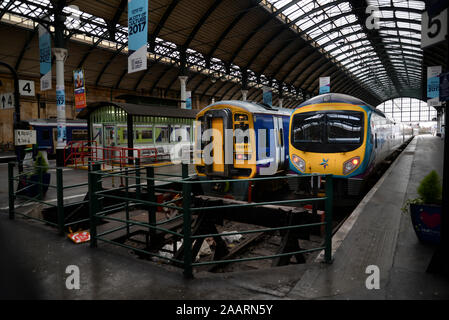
(186, 196)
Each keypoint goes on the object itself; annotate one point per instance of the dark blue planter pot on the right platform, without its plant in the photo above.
(426, 221)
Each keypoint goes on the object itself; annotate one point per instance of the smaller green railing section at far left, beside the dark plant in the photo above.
(13, 195)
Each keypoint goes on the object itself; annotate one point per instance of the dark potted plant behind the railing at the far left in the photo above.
(30, 182)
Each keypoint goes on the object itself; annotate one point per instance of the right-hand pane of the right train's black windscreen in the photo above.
(344, 128)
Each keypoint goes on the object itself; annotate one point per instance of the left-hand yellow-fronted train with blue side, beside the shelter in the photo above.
(242, 153)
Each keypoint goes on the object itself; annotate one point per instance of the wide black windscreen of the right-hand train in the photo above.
(326, 132)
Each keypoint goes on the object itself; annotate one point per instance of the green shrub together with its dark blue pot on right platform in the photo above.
(425, 211)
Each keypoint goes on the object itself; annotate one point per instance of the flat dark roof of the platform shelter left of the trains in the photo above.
(140, 110)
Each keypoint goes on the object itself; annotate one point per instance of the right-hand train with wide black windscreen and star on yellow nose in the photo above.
(342, 135)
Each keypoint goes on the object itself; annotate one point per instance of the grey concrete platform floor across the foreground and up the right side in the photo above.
(380, 235)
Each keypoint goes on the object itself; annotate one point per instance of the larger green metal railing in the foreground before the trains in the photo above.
(148, 201)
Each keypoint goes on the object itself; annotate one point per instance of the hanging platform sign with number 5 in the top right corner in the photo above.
(433, 30)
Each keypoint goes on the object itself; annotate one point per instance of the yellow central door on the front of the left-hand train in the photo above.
(218, 121)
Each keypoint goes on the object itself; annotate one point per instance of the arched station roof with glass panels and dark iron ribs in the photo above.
(284, 44)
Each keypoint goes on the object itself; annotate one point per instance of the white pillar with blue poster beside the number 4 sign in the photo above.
(61, 55)
